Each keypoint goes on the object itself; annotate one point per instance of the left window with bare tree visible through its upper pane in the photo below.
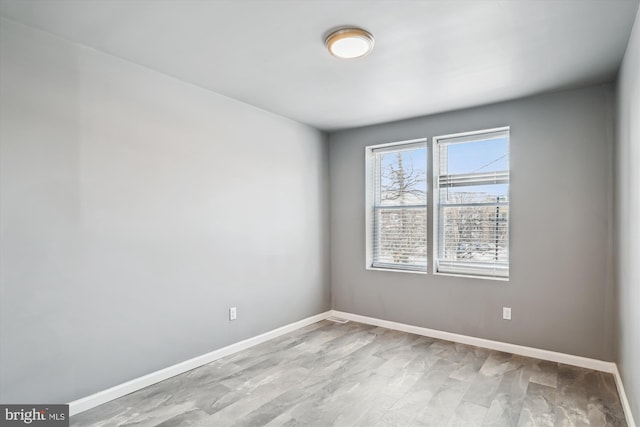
(397, 206)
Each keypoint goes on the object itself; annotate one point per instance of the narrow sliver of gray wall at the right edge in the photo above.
(627, 215)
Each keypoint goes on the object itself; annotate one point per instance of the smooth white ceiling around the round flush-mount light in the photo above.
(430, 56)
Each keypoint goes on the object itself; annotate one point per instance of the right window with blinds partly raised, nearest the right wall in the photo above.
(471, 202)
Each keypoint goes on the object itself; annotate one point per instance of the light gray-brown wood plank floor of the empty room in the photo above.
(331, 374)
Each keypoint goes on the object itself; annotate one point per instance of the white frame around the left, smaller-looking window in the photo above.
(370, 174)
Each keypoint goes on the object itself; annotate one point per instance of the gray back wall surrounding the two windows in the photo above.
(561, 286)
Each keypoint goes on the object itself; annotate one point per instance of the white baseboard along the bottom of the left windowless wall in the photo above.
(120, 390)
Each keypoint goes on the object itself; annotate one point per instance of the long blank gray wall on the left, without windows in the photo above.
(135, 209)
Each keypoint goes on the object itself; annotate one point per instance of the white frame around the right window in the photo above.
(461, 270)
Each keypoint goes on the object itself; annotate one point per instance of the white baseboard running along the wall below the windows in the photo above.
(552, 356)
